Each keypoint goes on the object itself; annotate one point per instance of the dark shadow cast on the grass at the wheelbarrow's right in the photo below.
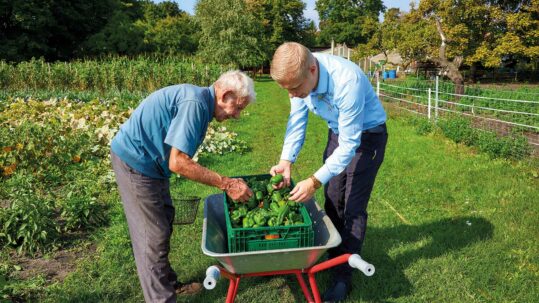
(393, 249)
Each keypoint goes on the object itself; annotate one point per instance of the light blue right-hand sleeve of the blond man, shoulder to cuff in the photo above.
(350, 103)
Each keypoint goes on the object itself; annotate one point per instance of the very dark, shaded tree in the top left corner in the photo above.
(51, 29)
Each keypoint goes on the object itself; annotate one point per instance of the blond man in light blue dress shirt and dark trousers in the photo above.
(339, 92)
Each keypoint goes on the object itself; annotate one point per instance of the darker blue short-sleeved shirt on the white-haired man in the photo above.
(175, 116)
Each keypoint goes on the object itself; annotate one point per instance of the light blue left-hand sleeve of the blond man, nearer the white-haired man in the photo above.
(295, 130)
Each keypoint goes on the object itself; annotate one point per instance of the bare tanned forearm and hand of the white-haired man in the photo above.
(183, 165)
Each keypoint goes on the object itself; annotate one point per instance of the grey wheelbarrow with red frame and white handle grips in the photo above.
(296, 261)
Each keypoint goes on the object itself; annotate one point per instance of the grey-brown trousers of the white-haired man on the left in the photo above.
(149, 212)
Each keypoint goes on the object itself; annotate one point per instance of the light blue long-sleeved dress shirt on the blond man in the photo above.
(344, 97)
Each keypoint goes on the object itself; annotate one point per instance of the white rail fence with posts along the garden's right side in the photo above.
(499, 114)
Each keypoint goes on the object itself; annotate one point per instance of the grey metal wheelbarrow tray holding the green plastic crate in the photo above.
(214, 242)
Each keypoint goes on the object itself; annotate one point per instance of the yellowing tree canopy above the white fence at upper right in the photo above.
(487, 33)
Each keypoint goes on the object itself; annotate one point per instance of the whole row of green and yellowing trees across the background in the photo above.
(453, 34)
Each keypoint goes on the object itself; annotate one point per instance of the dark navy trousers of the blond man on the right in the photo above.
(347, 194)
